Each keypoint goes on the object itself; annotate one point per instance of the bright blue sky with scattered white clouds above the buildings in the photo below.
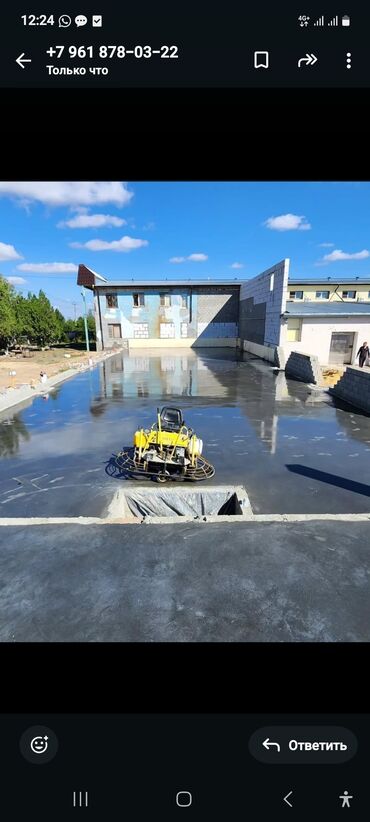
(178, 230)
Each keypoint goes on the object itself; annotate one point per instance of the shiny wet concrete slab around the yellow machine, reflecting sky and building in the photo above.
(254, 423)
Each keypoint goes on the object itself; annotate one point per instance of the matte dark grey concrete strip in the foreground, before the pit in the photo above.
(249, 582)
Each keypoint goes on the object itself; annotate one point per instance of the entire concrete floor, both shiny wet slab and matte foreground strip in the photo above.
(306, 581)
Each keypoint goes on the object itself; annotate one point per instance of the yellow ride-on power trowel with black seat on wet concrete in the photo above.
(169, 450)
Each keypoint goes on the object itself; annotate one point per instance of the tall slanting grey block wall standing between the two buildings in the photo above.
(262, 301)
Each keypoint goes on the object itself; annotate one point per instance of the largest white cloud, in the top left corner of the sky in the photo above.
(68, 193)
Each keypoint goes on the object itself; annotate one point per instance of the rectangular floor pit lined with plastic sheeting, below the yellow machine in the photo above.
(190, 503)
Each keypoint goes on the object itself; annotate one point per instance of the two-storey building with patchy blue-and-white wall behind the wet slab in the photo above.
(164, 313)
